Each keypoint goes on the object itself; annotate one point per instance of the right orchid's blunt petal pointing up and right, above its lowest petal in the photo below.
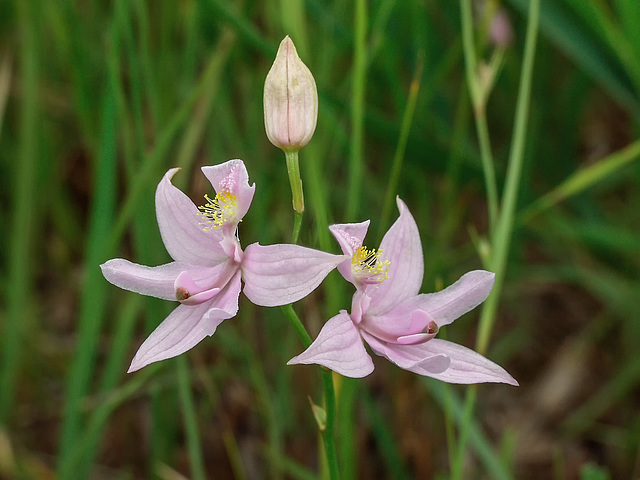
(454, 301)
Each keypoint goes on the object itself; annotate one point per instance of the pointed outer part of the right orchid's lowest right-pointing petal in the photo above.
(466, 366)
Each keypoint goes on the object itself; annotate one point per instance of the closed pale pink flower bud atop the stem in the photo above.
(290, 100)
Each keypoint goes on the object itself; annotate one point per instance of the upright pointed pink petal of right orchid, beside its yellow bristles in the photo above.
(402, 247)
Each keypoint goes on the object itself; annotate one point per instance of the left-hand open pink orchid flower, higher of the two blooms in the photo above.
(209, 264)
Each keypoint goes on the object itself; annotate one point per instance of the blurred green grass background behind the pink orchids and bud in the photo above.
(99, 99)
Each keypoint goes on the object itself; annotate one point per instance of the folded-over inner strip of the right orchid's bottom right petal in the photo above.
(409, 357)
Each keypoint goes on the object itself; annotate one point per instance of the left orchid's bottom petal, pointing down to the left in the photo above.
(179, 332)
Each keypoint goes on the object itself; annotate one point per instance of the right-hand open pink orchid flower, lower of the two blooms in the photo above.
(389, 314)
